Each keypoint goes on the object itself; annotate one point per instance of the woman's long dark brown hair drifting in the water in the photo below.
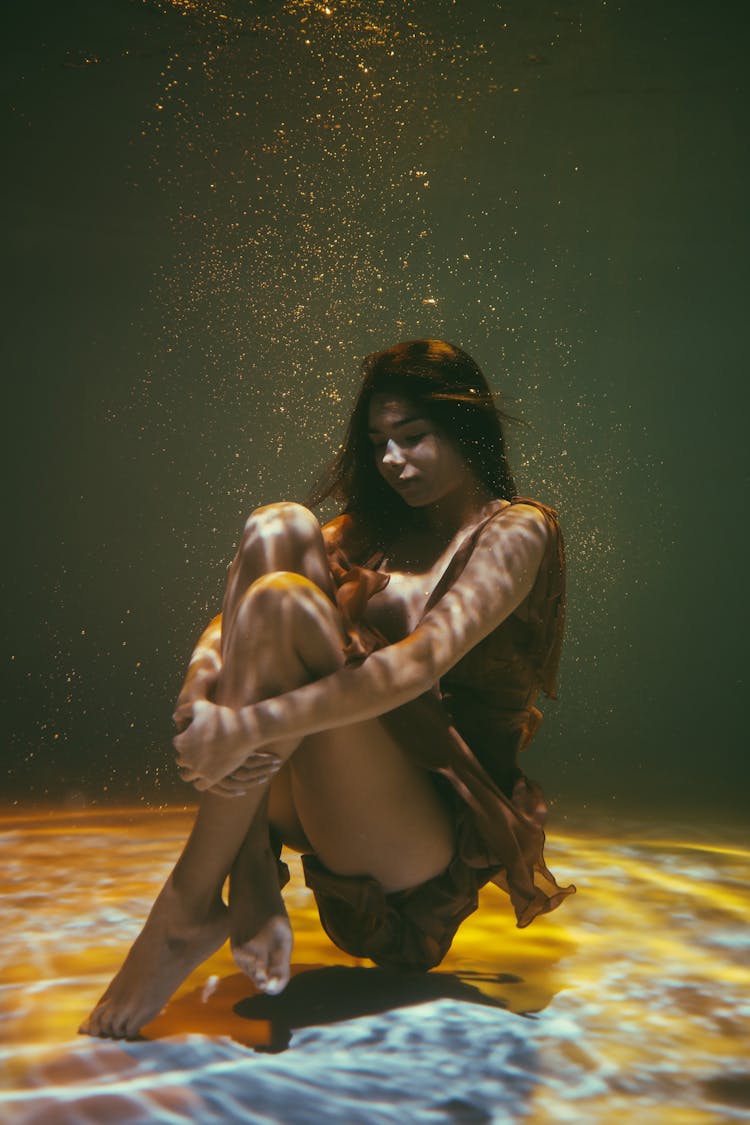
(449, 390)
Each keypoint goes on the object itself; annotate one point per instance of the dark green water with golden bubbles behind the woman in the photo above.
(210, 220)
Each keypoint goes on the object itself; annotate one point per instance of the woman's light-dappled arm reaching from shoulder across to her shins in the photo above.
(498, 578)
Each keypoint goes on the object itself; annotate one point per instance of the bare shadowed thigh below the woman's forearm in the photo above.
(367, 809)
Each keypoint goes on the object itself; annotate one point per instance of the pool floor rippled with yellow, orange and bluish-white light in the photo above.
(634, 998)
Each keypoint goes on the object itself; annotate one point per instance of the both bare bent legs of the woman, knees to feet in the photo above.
(364, 807)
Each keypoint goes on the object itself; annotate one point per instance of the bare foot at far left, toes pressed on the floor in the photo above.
(169, 948)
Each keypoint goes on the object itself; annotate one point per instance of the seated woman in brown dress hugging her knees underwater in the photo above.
(364, 697)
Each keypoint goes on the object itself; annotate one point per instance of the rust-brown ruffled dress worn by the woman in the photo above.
(469, 737)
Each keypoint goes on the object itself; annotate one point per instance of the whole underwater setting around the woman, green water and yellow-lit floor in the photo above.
(213, 210)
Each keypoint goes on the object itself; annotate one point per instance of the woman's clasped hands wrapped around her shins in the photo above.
(218, 751)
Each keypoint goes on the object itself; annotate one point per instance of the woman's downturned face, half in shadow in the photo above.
(413, 455)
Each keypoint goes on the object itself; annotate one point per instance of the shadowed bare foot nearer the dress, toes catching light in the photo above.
(260, 931)
